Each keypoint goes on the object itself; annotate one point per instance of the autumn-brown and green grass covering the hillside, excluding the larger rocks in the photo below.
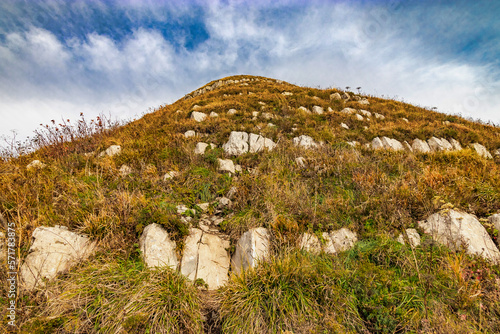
(380, 286)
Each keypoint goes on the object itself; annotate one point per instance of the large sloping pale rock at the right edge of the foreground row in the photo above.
(454, 229)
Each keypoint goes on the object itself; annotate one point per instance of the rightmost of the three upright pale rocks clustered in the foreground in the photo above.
(252, 247)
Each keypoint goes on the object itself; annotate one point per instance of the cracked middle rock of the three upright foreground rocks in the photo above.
(205, 257)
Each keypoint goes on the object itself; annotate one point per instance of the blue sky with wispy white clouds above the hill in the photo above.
(123, 58)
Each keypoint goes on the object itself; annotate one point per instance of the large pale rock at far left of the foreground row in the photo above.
(54, 250)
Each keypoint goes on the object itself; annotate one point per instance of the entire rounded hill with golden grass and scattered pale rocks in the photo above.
(276, 208)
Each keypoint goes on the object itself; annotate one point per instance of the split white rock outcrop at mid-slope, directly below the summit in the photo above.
(241, 142)
